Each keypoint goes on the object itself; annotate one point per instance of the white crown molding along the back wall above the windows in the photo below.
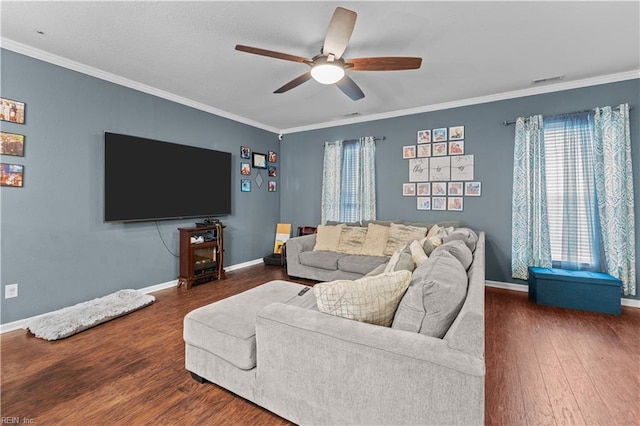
(559, 87)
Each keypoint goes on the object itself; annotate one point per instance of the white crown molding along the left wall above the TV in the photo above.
(131, 84)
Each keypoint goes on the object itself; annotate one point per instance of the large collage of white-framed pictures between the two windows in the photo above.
(441, 174)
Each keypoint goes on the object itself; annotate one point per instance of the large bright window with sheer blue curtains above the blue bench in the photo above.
(571, 206)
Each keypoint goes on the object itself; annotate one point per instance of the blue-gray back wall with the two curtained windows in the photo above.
(486, 137)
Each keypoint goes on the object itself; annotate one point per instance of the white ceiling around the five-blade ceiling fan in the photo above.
(184, 51)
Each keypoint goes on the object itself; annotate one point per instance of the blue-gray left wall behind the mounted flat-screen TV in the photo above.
(55, 244)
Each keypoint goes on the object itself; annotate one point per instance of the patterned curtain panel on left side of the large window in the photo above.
(530, 229)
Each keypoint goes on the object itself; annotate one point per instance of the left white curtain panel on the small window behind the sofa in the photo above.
(331, 178)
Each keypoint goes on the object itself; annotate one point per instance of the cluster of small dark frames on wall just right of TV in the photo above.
(263, 163)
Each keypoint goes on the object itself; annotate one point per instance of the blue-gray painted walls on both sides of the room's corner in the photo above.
(55, 244)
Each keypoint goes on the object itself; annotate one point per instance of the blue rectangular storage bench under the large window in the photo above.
(584, 290)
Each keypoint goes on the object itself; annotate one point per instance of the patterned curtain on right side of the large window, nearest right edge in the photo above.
(614, 189)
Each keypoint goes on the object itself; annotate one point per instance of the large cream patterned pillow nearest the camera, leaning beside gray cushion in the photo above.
(373, 300)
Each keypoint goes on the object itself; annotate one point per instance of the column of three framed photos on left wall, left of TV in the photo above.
(12, 144)
